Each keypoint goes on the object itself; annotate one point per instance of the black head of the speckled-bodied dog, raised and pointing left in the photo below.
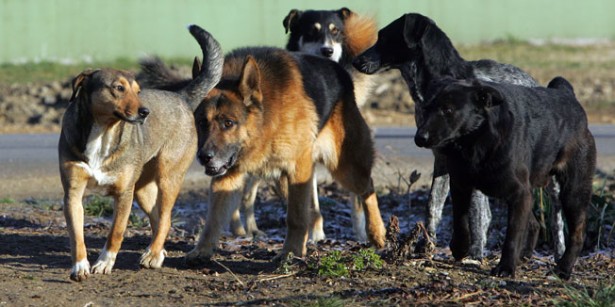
(398, 43)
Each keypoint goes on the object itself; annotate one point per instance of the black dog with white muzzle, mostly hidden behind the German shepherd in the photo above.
(338, 35)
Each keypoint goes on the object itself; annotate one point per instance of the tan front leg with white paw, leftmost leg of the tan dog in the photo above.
(74, 181)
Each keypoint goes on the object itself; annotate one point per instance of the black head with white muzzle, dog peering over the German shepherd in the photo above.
(320, 33)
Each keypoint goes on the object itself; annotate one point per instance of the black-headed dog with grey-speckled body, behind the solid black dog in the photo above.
(422, 52)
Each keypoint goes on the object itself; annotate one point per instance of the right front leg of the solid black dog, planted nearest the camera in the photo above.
(519, 208)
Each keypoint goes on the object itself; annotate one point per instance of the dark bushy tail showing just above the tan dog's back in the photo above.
(157, 75)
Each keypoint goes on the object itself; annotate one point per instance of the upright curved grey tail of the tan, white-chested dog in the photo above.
(211, 70)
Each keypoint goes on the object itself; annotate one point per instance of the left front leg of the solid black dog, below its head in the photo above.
(460, 242)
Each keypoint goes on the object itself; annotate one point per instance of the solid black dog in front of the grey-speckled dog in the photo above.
(504, 140)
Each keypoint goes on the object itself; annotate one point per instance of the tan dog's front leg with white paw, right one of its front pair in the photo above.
(106, 259)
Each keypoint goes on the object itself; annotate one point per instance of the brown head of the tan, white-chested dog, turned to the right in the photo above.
(110, 95)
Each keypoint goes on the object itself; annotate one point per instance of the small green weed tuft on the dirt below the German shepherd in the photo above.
(338, 264)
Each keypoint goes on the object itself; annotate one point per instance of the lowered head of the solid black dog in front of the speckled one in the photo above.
(453, 109)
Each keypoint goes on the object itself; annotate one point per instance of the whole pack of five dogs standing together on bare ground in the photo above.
(265, 113)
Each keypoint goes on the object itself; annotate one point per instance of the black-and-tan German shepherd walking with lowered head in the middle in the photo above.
(274, 115)
